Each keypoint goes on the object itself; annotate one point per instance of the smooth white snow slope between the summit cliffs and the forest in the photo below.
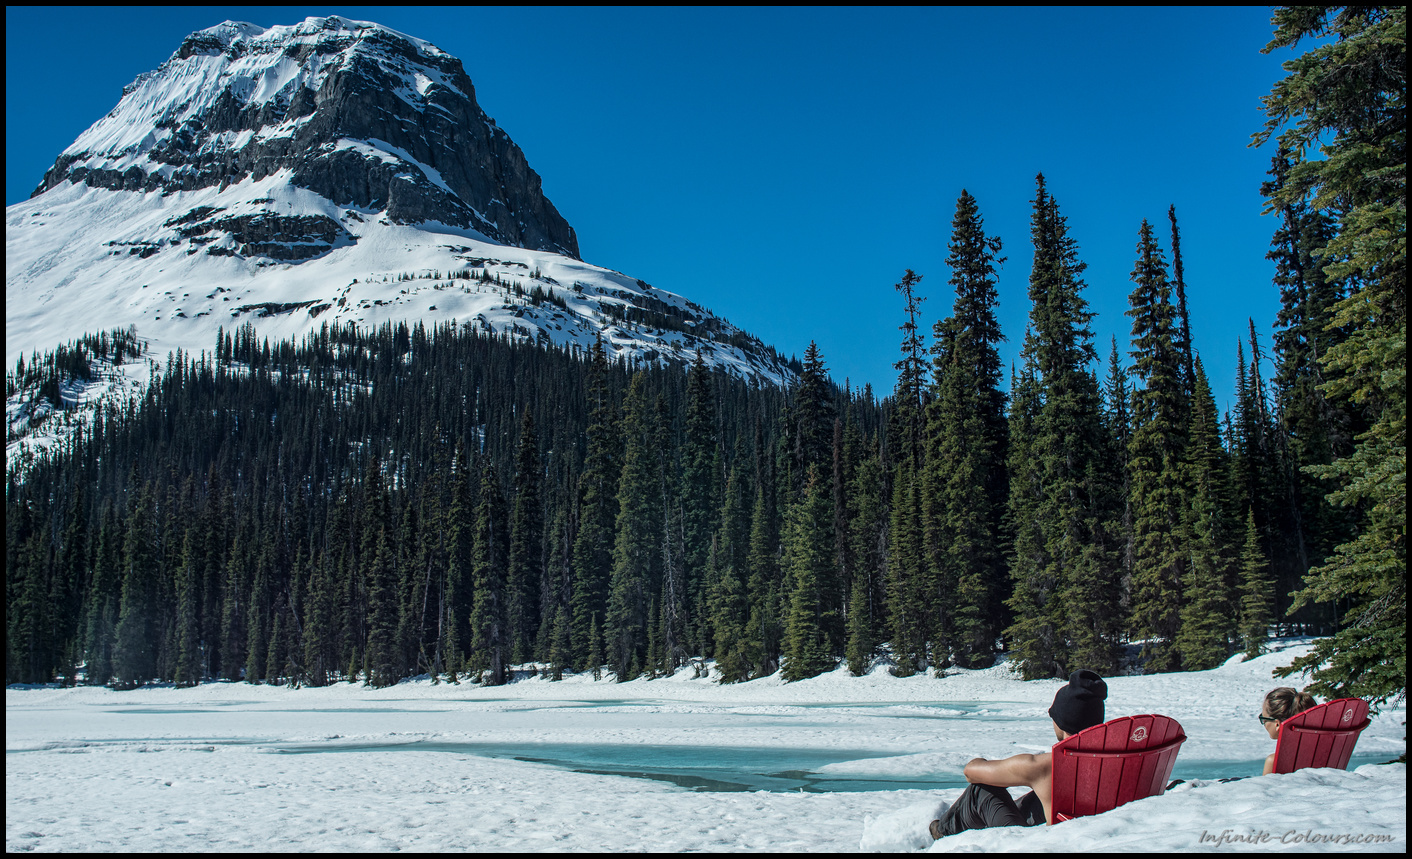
(71, 271)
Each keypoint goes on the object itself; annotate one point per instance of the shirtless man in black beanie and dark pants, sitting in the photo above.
(986, 803)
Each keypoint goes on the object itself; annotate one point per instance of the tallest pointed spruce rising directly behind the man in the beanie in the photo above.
(1067, 603)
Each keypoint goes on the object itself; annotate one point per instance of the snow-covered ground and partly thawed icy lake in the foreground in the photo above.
(835, 764)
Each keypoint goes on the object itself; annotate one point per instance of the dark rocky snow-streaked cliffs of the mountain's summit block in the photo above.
(361, 115)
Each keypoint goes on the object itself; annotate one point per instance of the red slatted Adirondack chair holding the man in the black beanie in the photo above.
(1112, 765)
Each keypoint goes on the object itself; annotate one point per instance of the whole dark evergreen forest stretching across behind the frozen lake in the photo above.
(381, 505)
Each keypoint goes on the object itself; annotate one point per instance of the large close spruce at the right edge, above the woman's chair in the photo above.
(1349, 98)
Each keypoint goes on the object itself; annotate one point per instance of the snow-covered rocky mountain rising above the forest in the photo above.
(330, 172)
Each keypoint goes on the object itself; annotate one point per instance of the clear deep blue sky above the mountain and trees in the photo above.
(784, 167)
